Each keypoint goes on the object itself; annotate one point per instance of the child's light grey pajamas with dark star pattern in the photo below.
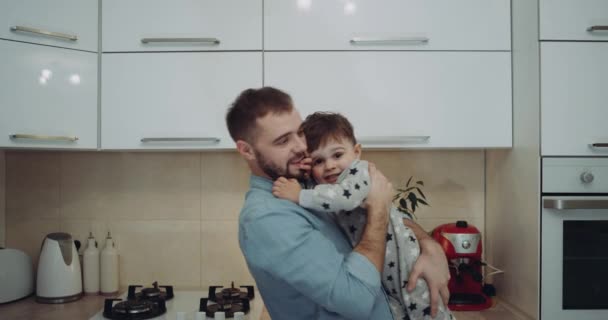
(343, 200)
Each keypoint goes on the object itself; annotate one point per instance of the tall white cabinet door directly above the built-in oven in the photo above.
(574, 99)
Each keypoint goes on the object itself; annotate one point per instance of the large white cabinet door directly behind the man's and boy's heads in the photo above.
(404, 99)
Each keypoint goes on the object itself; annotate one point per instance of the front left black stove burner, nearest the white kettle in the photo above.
(133, 309)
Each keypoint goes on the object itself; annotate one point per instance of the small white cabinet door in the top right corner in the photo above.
(574, 20)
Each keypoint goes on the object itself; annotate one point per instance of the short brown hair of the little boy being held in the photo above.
(322, 127)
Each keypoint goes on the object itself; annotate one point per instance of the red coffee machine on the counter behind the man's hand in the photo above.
(462, 245)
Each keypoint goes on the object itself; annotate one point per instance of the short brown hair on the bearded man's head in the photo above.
(252, 104)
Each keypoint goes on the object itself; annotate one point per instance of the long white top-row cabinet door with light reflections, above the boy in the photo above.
(387, 25)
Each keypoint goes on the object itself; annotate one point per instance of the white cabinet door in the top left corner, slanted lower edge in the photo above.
(62, 23)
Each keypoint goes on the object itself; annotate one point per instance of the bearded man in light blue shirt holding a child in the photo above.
(303, 265)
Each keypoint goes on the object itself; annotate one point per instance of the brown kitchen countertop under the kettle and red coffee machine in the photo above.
(28, 309)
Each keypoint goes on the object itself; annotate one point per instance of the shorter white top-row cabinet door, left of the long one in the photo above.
(181, 25)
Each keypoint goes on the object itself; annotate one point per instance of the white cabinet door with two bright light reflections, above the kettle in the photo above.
(48, 97)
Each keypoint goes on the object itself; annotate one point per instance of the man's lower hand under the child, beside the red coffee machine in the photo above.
(432, 266)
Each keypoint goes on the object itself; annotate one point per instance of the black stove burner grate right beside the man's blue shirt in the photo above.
(229, 300)
